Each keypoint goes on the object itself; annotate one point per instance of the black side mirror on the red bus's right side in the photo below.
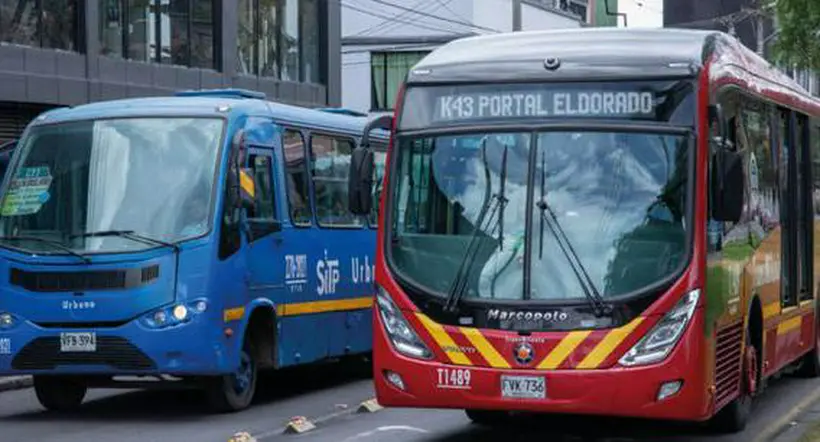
(729, 190)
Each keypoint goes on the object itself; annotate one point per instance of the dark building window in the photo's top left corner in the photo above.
(40, 23)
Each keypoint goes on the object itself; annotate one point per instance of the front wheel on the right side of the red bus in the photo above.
(735, 415)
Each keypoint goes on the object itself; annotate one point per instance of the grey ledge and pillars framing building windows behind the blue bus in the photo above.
(34, 75)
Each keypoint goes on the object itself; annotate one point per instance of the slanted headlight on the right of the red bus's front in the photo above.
(656, 345)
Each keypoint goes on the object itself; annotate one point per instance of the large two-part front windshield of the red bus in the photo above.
(619, 198)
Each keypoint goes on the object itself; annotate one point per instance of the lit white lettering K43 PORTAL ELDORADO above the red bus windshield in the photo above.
(544, 104)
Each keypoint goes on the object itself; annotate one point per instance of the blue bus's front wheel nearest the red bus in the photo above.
(235, 391)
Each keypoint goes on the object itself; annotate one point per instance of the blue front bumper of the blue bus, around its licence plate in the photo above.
(193, 348)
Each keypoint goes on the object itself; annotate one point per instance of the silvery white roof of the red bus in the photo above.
(608, 54)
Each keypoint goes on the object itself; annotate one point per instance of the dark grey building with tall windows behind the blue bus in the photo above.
(67, 52)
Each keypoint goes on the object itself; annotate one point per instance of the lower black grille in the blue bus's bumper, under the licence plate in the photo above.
(44, 354)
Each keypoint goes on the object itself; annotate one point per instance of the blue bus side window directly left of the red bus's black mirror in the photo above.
(330, 168)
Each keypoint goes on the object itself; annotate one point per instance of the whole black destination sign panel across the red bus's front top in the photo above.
(426, 106)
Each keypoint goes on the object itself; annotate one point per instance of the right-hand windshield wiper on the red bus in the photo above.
(596, 301)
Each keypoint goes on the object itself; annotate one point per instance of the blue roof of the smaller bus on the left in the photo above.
(212, 103)
